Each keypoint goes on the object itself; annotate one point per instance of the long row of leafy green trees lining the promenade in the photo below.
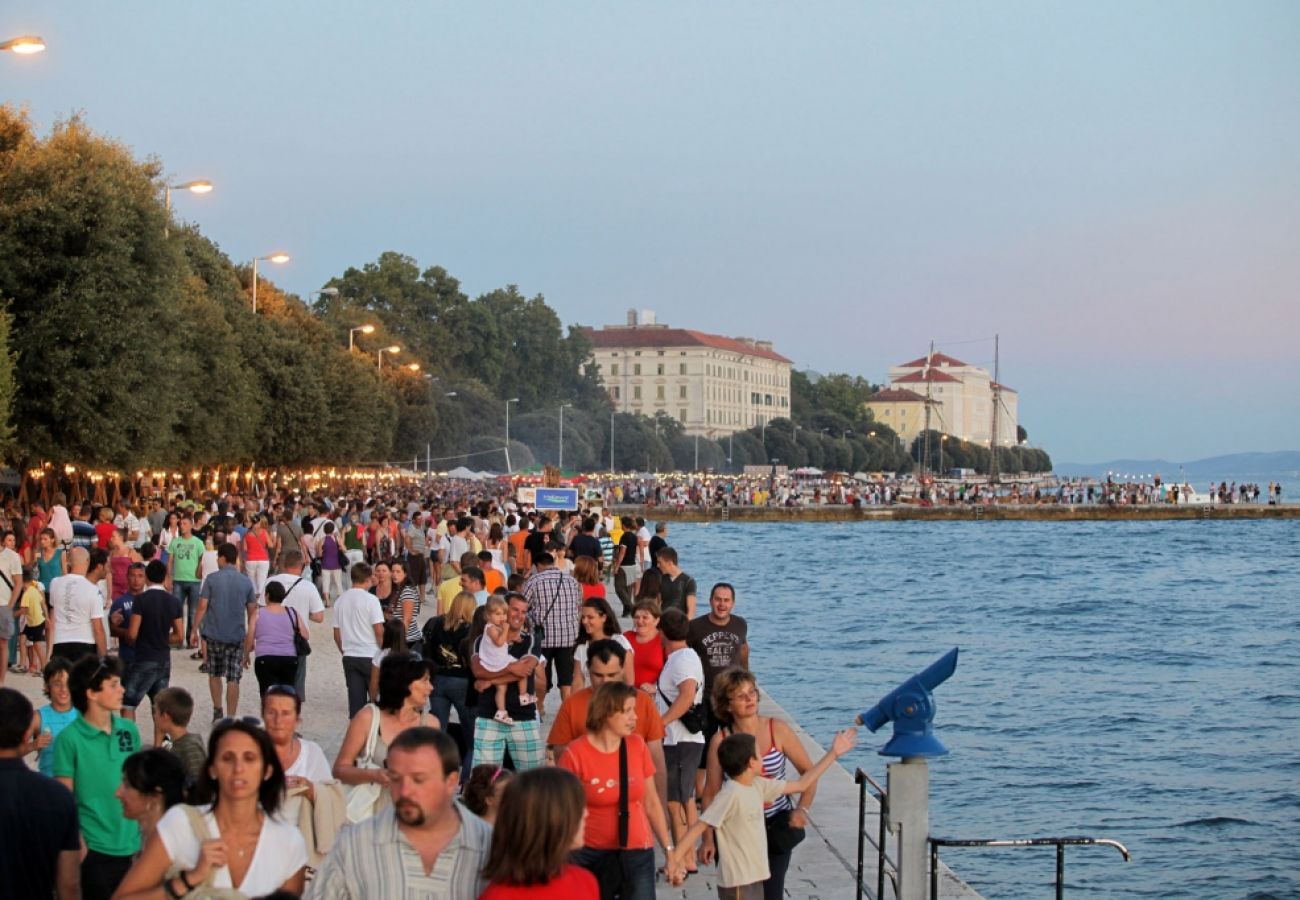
(128, 341)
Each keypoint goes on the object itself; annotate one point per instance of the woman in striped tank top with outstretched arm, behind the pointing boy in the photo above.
(735, 699)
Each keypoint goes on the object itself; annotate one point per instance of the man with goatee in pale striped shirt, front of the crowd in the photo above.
(424, 846)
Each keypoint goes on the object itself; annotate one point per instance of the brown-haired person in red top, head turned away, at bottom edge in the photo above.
(540, 825)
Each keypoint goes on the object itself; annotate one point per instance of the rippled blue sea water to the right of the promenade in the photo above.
(1128, 681)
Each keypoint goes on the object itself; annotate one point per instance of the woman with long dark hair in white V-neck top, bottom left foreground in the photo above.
(235, 841)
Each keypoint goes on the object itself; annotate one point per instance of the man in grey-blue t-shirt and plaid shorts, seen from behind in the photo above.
(227, 607)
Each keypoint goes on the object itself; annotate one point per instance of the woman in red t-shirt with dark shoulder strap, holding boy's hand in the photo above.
(622, 824)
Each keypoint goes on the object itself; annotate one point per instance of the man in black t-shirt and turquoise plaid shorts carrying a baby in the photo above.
(523, 738)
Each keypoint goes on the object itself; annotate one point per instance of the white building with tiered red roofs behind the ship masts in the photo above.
(961, 401)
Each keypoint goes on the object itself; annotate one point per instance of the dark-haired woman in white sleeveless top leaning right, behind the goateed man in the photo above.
(406, 685)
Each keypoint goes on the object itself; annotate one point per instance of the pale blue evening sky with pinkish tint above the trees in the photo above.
(1111, 188)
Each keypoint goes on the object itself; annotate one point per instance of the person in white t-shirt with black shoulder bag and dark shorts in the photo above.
(679, 696)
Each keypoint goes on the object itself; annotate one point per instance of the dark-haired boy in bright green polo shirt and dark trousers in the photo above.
(89, 756)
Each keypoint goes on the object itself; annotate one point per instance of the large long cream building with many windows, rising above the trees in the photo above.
(713, 386)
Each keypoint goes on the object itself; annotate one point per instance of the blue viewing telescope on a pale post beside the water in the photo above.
(912, 708)
